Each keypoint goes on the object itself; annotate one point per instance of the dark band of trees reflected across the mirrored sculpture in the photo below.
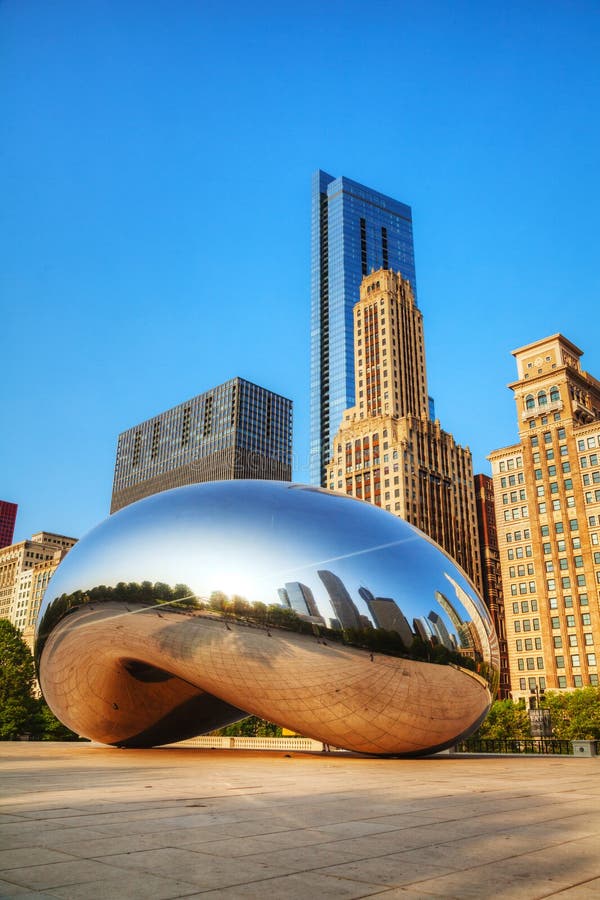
(181, 599)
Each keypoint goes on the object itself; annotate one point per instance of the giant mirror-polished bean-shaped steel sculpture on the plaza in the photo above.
(195, 607)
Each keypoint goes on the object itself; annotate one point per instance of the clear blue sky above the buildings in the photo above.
(155, 213)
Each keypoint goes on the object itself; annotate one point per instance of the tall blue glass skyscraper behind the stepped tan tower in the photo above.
(354, 230)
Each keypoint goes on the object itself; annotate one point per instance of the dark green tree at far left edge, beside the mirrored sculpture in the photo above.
(17, 677)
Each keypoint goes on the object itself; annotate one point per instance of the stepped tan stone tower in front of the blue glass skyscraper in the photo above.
(387, 449)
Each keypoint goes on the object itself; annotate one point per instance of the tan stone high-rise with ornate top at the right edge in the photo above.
(547, 495)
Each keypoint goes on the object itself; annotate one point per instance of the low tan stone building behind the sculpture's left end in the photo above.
(25, 570)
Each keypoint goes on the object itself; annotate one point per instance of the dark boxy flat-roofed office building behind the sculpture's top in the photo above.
(235, 430)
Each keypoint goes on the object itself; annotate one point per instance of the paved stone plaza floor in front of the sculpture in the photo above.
(84, 822)
